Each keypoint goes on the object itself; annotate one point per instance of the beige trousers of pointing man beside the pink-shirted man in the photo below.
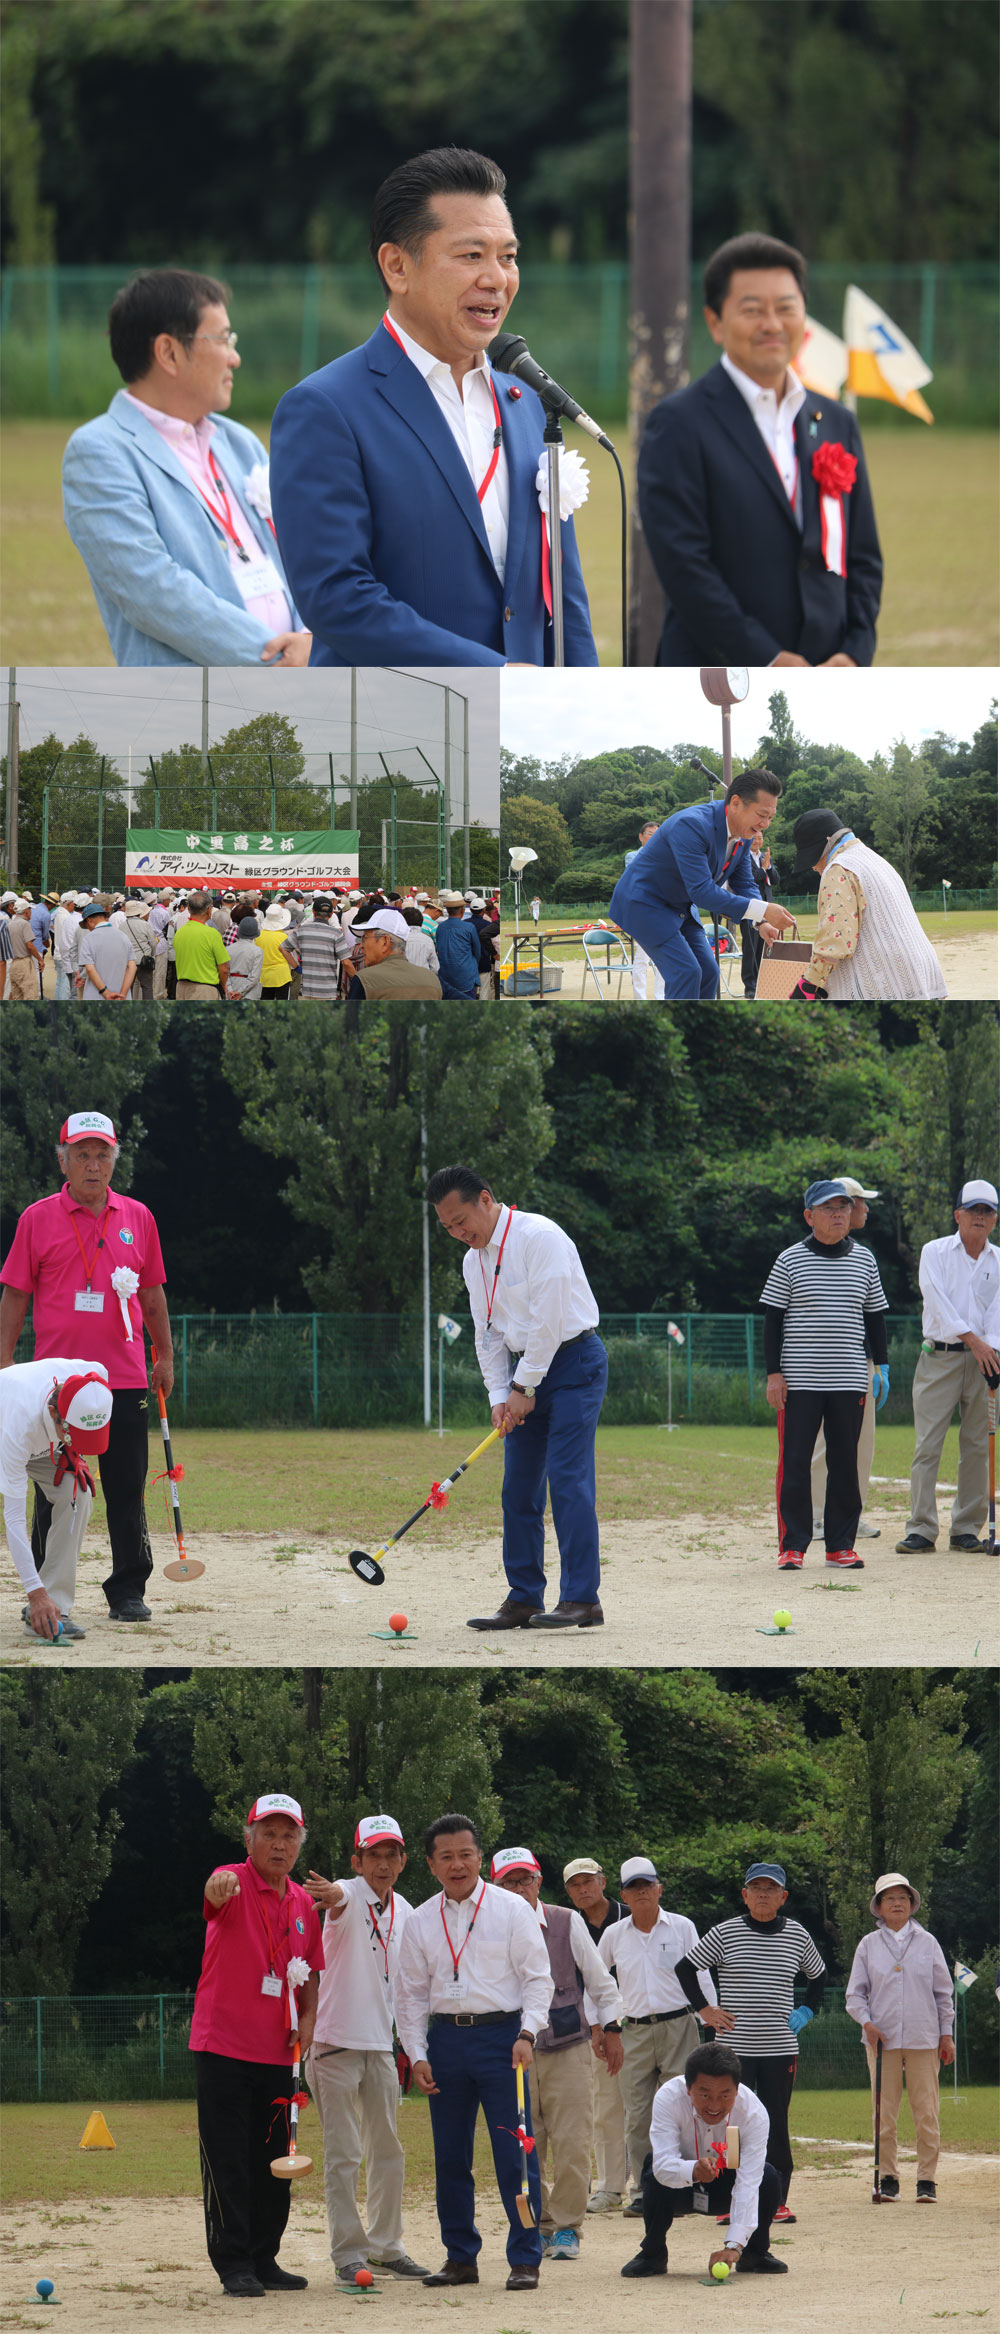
(356, 2092)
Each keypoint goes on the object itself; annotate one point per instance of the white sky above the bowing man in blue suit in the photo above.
(583, 713)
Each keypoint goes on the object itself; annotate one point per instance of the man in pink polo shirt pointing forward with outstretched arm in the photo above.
(258, 1983)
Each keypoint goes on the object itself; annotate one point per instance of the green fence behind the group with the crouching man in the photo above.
(104, 2046)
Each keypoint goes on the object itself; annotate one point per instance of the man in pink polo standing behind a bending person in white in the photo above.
(90, 1264)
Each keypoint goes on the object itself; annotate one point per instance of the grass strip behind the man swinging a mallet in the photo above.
(356, 1481)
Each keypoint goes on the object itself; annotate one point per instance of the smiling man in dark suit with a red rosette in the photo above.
(754, 491)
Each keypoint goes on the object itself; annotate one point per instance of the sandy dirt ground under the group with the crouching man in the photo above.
(847, 2267)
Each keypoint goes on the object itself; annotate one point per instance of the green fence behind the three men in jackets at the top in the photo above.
(576, 319)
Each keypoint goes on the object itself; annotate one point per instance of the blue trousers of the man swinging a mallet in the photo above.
(555, 1448)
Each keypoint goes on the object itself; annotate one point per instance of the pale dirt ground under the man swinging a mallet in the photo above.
(672, 1593)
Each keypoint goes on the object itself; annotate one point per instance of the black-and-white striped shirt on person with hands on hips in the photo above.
(756, 1971)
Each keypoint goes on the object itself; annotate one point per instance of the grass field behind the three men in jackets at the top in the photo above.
(936, 498)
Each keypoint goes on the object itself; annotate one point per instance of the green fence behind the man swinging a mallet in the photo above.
(368, 1371)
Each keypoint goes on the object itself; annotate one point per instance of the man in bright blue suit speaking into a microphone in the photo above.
(405, 473)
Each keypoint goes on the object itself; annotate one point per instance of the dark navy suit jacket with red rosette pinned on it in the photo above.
(742, 580)
